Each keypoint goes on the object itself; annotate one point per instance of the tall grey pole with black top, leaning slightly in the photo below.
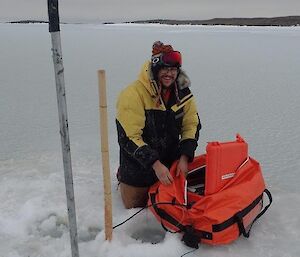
(63, 120)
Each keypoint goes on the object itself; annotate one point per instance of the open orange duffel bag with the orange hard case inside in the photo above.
(220, 199)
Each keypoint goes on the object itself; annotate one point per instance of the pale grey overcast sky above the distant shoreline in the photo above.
(119, 10)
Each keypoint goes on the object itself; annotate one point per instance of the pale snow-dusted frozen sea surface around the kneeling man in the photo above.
(245, 80)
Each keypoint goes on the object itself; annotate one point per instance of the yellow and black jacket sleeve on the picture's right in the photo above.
(190, 130)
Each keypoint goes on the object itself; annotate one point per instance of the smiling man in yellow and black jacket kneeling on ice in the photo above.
(157, 123)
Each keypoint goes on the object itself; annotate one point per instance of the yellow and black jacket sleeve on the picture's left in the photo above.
(130, 124)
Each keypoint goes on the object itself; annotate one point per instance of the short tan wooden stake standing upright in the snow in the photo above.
(105, 154)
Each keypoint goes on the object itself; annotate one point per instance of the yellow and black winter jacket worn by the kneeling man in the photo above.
(150, 130)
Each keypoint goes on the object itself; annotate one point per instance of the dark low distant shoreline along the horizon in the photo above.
(285, 21)
